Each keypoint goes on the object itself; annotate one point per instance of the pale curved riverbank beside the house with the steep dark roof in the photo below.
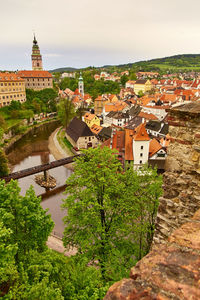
(57, 151)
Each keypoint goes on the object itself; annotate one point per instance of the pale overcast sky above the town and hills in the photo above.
(81, 33)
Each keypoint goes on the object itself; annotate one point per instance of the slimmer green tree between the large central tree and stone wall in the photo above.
(143, 190)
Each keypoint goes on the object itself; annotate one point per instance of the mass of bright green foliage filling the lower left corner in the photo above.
(28, 270)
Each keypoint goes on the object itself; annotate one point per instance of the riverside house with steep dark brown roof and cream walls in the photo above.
(80, 135)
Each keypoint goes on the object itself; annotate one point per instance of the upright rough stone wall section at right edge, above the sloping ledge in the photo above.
(181, 188)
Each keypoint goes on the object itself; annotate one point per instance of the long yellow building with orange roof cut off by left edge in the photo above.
(12, 88)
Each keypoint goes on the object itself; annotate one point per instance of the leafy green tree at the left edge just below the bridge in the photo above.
(29, 223)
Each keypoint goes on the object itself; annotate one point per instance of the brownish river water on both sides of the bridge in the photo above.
(31, 151)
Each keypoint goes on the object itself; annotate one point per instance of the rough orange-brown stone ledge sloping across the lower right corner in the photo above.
(169, 271)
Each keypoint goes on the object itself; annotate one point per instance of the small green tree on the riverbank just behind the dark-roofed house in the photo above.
(65, 111)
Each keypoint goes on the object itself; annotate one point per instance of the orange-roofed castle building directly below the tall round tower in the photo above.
(37, 80)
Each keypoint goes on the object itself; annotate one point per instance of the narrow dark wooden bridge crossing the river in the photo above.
(40, 168)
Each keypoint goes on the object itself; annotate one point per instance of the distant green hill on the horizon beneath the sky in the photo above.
(186, 62)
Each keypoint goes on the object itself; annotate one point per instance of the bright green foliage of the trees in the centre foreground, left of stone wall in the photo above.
(104, 216)
